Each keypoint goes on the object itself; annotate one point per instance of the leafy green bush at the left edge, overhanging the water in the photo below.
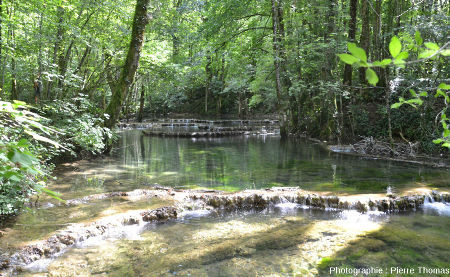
(21, 171)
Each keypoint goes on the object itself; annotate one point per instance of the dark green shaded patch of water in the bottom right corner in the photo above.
(415, 241)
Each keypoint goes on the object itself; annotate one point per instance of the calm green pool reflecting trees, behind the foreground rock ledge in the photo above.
(239, 163)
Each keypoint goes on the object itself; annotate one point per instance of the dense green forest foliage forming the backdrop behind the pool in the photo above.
(222, 58)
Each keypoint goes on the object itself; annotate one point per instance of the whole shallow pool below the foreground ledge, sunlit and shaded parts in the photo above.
(287, 242)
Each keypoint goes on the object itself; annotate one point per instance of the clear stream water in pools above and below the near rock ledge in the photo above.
(286, 241)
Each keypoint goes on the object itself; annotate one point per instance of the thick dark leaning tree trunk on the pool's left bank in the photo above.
(140, 21)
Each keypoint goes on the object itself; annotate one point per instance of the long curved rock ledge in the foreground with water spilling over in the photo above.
(210, 200)
